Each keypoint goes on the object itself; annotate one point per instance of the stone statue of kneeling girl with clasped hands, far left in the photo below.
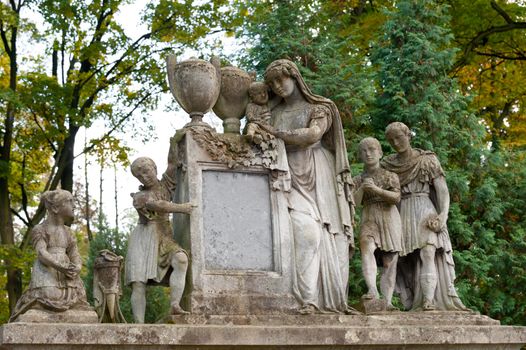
(55, 282)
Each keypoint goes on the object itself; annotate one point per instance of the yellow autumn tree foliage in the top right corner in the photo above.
(491, 65)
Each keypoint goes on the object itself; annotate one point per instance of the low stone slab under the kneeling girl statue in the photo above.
(68, 316)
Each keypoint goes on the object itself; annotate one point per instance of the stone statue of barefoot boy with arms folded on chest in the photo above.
(379, 192)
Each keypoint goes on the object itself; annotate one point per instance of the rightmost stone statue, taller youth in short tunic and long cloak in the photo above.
(426, 263)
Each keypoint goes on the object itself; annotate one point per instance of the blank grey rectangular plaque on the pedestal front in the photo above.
(237, 221)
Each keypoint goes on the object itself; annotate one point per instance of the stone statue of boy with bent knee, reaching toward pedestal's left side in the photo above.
(153, 256)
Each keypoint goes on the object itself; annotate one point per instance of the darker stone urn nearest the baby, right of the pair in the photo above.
(233, 97)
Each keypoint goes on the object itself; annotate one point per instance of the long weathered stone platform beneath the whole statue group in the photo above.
(429, 330)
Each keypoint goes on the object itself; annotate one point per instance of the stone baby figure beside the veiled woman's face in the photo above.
(258, 111)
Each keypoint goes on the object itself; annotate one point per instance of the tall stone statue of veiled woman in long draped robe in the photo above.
(320, 200)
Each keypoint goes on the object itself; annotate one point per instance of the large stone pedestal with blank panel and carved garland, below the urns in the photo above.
(238, 237)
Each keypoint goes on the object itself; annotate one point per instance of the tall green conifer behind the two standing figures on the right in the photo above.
(415, 54)
